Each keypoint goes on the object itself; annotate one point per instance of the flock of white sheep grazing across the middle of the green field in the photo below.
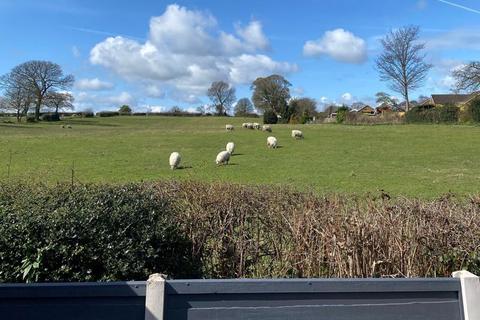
(224, 156)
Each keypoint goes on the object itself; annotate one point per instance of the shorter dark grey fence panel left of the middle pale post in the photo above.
(82, 301)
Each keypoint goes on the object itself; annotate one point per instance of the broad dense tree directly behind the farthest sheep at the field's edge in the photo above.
(271, 93)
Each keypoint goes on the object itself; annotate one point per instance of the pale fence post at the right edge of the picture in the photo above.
(470, 284)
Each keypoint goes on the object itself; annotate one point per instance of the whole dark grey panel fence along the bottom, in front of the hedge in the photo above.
(299, 299)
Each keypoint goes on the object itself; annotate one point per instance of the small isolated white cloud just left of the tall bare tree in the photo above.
(339, 44)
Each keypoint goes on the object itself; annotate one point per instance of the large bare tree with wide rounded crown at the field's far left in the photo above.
(38, 79)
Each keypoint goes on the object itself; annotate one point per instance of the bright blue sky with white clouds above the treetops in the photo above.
(153, 55)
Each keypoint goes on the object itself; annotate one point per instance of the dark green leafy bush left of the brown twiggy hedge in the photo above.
(88, 233)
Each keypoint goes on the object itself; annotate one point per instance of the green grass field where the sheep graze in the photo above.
(413, 160)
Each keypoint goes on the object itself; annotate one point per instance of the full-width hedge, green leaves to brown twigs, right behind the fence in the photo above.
(221, 230)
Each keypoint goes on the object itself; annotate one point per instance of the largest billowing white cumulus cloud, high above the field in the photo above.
(185, 52)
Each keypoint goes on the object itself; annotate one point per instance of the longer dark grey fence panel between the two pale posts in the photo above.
(319, 299)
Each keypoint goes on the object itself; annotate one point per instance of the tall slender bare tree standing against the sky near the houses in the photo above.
(402, 62)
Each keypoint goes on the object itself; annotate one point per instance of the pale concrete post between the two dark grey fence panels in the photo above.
(155, 297)
